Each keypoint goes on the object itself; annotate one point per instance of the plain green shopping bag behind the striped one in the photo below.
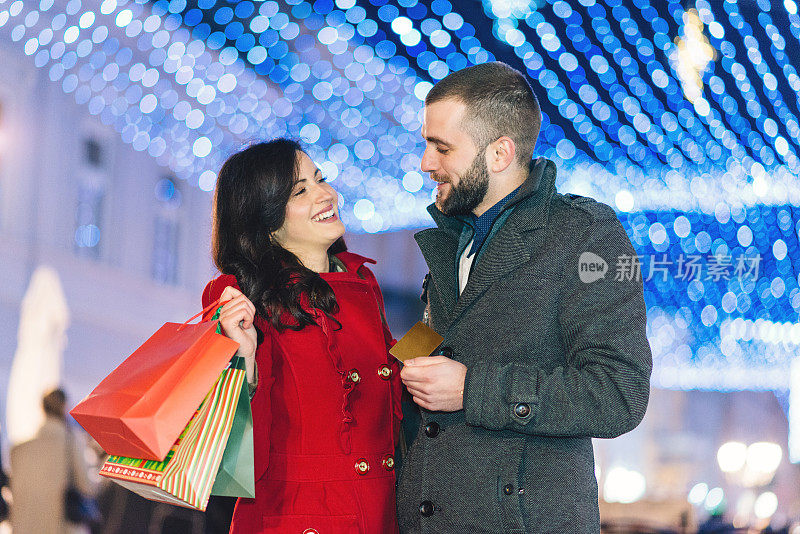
(236, 477)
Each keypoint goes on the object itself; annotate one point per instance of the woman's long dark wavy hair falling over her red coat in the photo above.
(253, 188)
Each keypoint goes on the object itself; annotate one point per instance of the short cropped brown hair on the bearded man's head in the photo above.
(499, 101)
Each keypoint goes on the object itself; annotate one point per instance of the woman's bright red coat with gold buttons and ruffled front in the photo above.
(326, 415)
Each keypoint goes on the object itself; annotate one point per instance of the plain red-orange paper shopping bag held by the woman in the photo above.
(140, 409)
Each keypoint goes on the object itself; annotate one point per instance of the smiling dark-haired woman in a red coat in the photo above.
(309, 320)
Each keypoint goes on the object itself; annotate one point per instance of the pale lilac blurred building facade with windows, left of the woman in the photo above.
(129, 251)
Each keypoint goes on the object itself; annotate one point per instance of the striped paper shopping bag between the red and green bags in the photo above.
(185, 477)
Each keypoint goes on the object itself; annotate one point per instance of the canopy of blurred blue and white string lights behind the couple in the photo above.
(683, 119)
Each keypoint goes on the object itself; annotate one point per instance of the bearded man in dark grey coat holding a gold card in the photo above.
(543, 348)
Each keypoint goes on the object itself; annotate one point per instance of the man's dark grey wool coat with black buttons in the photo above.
(552, 361)
